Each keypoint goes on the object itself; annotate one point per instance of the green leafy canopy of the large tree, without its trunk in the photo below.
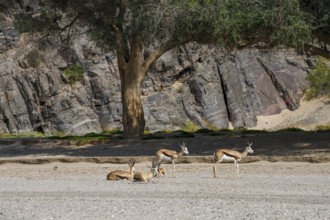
(231, 23)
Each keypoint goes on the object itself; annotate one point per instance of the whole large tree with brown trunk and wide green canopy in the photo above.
(140, 31)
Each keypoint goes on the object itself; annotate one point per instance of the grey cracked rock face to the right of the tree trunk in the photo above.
(201, 84)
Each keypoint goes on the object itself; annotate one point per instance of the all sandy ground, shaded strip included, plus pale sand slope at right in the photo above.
(266, 190)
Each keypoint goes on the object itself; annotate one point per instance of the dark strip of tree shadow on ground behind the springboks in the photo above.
(264, 144)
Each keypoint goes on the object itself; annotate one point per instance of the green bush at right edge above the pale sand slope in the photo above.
(319, 78)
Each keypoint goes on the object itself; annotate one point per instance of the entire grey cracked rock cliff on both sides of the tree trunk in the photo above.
(192, 83)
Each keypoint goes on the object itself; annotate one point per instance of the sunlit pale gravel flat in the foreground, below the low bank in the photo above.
(80, 191)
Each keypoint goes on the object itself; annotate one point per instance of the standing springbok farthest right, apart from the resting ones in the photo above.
(230, 155)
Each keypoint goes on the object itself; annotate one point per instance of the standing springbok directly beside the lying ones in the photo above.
(166, 154)
